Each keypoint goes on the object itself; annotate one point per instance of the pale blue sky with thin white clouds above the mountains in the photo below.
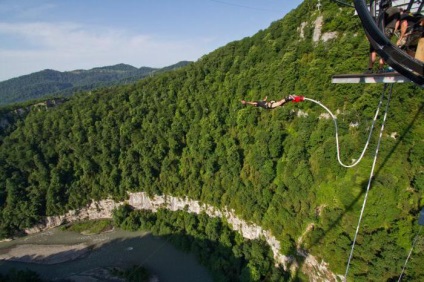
(82, 34)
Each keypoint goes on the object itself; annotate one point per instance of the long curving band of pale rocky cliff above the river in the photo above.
(317, 271)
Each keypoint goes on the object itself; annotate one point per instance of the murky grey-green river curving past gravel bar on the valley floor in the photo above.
(117, 248)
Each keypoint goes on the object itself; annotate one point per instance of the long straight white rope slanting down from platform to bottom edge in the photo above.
(369, 181)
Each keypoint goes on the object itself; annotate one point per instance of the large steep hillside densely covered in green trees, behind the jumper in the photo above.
(185, 133)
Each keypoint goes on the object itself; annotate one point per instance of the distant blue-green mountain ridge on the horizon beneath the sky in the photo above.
(48, 82)
